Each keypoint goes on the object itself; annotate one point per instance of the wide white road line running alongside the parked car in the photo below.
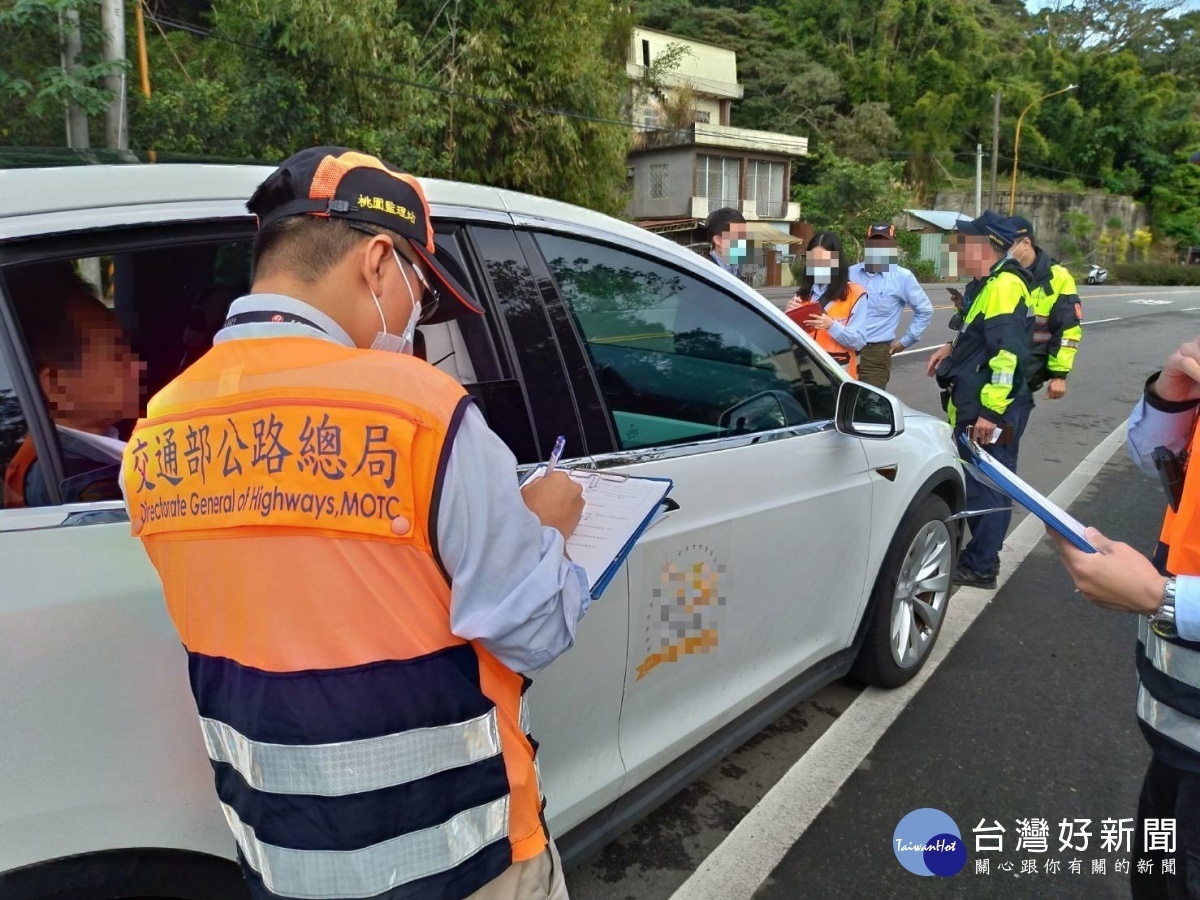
(753, 850)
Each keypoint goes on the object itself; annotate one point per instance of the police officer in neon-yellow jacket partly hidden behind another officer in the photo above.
(1058, 311)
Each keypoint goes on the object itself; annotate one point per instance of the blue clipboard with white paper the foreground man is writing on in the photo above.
(620, 518)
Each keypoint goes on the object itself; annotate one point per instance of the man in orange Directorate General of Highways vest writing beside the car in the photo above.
(356, 577)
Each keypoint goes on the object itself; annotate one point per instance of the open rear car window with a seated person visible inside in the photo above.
(105, 333)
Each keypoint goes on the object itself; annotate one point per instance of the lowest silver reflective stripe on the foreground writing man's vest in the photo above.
(332, 875)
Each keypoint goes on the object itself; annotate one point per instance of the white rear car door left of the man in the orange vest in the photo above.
(100, 747)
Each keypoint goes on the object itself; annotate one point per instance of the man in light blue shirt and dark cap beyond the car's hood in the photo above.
(890, 290)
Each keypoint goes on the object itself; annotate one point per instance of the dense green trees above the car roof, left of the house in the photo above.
(447, 89)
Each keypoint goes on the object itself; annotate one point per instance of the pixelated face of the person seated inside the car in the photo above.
(104, 387)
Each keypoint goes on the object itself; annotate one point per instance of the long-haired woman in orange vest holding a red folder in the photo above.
(839, 329)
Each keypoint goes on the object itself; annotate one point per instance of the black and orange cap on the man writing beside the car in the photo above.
(338, 183)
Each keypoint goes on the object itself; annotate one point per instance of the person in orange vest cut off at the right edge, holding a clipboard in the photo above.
(1165, 428)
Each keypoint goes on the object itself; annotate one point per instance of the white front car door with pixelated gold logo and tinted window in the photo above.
(760, 573)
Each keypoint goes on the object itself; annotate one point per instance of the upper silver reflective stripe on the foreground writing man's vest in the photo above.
(353, 766)
